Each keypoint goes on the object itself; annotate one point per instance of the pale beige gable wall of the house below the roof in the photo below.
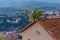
(35, 32)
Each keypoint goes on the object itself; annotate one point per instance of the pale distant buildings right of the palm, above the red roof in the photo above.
(51, 14)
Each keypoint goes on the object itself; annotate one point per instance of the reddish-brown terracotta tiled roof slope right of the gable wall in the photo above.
(52, 26)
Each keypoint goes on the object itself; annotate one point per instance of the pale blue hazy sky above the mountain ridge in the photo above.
(4, 3)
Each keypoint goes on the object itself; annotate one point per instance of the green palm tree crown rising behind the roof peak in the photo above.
(34, 15)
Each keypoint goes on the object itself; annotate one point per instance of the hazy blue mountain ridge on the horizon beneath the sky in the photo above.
(34, 4)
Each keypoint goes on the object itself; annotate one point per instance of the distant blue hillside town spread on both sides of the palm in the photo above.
(11, 18)
